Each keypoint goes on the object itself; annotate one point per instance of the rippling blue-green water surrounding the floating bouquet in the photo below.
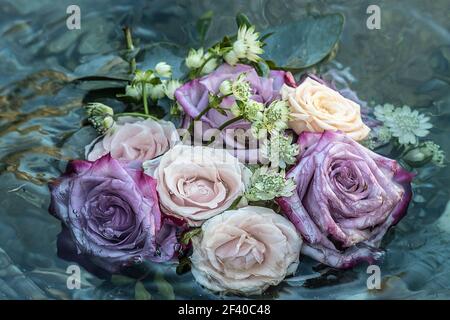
(41, 126)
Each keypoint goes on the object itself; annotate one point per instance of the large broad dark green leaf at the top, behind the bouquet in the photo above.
(304, 43)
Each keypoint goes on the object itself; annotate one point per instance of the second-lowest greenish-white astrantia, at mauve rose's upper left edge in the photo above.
(279, 150)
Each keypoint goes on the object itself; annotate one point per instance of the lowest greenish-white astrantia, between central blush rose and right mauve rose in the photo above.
(267, 183)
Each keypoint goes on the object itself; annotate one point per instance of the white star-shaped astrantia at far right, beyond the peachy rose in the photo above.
(407, 125)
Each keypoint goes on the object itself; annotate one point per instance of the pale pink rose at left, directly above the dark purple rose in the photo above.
(134, 139)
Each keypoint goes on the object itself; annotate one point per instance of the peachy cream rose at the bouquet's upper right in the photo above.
(316, 108)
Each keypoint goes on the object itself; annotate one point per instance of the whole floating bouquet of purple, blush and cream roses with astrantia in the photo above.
(264, 167)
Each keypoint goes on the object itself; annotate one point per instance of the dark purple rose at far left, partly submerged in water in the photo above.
(111, 214)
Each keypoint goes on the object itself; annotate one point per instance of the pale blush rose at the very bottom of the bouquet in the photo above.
(245, 251)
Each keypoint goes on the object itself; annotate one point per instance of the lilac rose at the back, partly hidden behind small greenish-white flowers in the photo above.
(193, 98)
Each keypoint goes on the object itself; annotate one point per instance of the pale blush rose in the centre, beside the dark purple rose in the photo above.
(196, 183)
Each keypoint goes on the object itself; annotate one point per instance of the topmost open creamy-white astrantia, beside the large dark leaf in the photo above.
(247, 44)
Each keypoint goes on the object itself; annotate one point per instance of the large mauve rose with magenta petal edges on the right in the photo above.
(347, 197)
